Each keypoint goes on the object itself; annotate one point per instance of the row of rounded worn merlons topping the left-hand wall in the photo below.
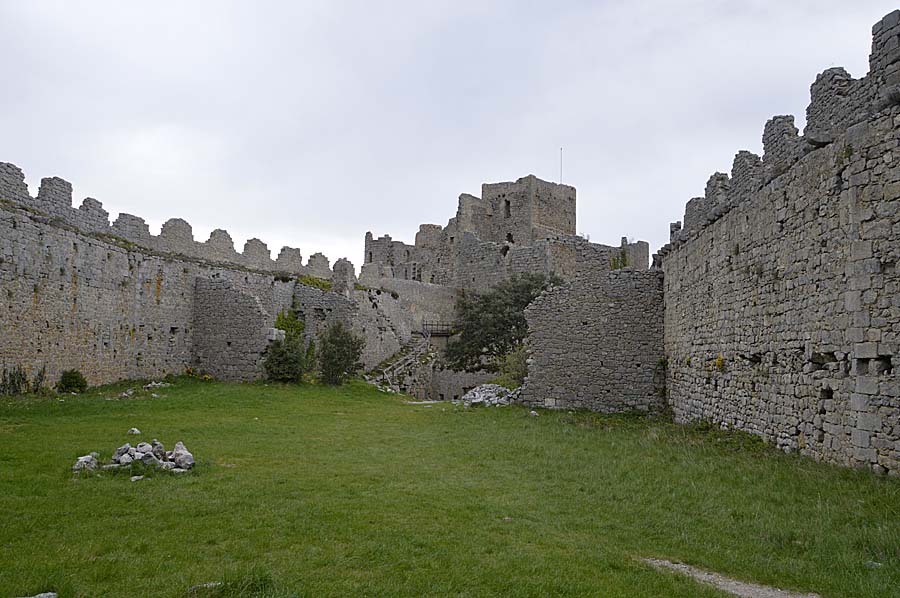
(54, 200)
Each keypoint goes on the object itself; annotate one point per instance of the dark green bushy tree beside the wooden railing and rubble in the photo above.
(492, 324)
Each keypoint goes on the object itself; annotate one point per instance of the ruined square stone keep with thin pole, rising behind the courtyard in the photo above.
(514, 227)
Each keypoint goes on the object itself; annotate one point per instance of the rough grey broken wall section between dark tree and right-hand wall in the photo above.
(597, 343)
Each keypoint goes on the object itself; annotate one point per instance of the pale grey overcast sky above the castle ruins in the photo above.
(309, 123)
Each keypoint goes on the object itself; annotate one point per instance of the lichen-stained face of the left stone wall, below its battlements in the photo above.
(71, 300)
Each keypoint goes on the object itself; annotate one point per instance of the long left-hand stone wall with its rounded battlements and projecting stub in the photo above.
(75, 295)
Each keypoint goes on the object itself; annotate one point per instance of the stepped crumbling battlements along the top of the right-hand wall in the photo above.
(837, 103)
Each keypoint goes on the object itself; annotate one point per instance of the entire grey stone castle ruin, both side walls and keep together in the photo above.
(774, 308)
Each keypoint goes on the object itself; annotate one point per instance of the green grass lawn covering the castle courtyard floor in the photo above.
(314, 491)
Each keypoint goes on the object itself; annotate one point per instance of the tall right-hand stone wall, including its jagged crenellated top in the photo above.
(782, 289)
